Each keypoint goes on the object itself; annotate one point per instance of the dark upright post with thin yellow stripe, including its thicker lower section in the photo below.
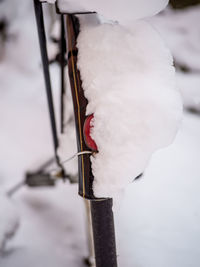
(101, 209)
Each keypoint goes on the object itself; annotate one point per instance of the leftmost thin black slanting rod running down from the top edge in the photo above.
(45, 63)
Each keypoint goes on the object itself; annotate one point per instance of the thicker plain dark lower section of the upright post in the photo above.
(103, 233)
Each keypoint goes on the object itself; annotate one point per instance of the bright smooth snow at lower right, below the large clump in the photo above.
(159, 219)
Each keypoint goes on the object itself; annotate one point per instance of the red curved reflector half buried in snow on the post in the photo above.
(86, 131)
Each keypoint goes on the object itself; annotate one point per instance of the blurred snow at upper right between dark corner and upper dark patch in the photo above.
(177, 28)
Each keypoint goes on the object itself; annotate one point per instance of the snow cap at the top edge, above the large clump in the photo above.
(117, 10)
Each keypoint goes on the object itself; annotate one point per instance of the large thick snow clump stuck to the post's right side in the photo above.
(128, 79)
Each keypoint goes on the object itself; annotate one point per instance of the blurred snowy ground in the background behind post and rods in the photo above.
(158, 223)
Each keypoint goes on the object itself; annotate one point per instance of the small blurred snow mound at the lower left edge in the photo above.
(9, 220)
